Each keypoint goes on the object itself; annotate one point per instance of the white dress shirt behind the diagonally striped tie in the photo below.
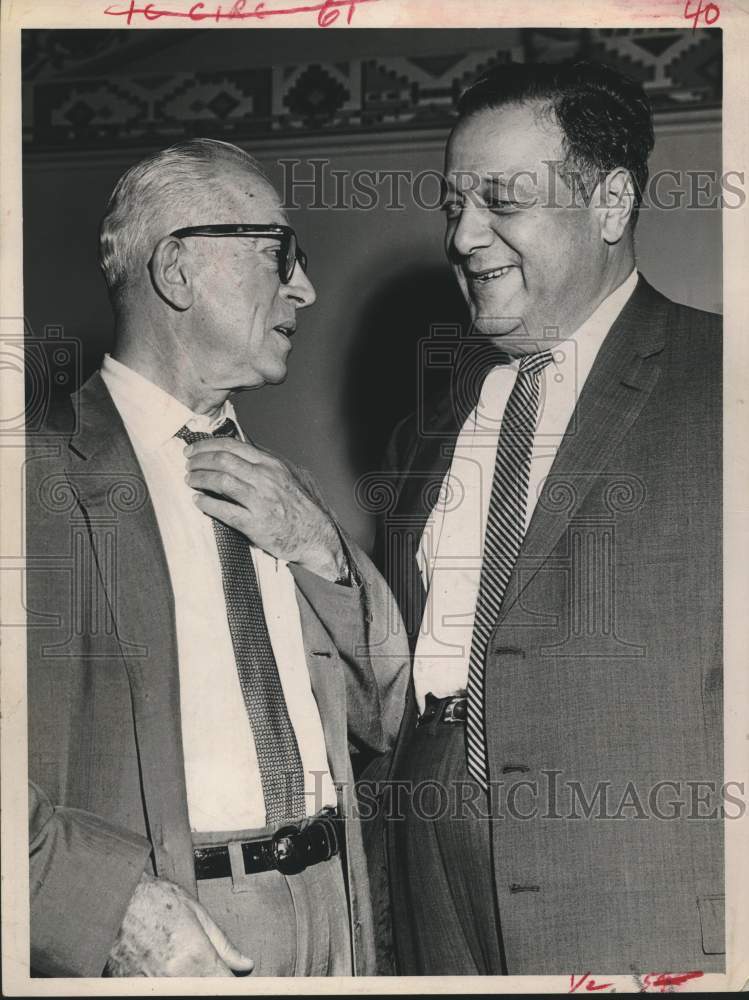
(451, 546)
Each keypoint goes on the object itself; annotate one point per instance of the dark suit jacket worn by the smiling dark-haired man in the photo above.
(604, 671)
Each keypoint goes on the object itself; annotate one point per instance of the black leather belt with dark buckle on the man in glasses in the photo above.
(290, 850)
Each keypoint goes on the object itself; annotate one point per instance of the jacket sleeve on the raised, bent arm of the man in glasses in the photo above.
(363, 621)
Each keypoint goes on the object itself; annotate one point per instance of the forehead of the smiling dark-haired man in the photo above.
(503, 141)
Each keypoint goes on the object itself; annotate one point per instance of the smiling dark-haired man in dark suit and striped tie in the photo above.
(565, 597)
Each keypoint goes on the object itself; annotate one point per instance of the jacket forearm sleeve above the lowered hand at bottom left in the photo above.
(83, 872)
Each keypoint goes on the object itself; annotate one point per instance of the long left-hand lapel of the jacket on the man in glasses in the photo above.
(107, 478)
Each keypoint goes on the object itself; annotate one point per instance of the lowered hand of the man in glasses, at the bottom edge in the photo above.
(167, 933)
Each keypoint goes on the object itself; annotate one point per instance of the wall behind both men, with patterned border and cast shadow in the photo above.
(94, 102)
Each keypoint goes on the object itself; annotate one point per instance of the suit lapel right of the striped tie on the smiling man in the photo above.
(618, 386)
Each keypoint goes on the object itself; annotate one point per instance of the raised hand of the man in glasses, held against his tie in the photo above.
(266, 502)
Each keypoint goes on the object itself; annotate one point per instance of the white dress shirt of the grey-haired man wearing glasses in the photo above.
(224, 789)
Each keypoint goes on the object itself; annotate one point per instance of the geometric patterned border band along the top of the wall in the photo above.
(679, 69)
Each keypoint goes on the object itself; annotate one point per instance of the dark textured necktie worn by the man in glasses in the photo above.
(279, 761)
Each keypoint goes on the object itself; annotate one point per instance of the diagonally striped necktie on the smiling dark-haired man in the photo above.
(505, 527)
